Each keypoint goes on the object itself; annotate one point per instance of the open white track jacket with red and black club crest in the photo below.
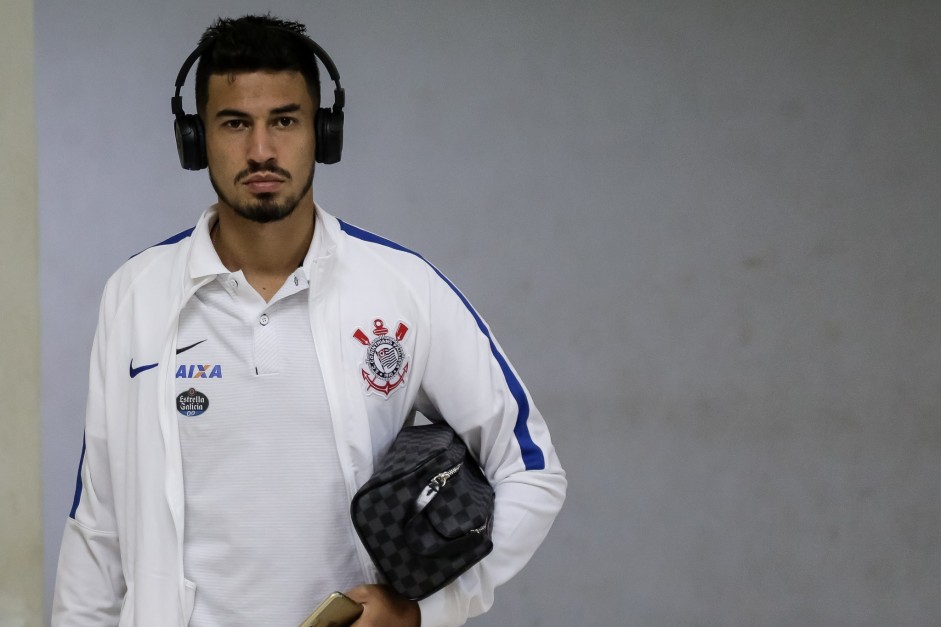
(121, 561)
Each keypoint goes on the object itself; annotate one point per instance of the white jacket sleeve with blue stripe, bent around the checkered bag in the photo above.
(470, 384)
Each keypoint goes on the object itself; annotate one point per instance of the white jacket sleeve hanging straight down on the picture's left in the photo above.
(90, 584)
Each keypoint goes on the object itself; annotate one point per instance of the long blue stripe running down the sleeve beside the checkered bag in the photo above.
(533, 457)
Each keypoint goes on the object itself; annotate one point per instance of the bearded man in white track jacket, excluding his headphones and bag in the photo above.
(236, 402)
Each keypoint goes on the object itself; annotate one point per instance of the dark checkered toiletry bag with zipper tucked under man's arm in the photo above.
(426, 515)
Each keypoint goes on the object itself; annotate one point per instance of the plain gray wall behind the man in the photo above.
(706, 233)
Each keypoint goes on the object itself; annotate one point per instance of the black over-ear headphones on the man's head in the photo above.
(328, 123)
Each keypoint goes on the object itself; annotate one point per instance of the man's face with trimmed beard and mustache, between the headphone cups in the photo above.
(260, 142)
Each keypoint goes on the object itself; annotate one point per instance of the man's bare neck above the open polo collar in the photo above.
(265, 253)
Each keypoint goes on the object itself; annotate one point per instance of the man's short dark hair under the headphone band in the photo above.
(252, 43)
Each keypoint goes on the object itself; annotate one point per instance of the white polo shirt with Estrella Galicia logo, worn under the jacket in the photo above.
(267, 533)
